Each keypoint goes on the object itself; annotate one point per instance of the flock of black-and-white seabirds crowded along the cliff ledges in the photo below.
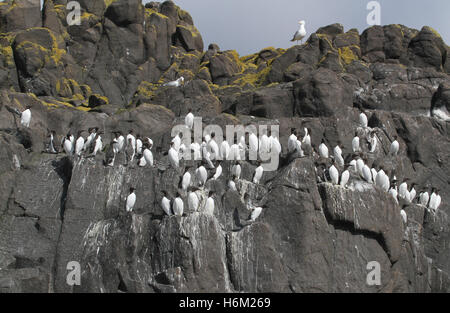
(139, 149)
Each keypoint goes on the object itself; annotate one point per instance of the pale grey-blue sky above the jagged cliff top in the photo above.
(251, 25)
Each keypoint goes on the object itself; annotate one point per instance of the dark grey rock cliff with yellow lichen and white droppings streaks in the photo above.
(312, 237)
